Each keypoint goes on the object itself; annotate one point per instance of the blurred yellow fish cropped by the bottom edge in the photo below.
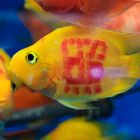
(79, 128)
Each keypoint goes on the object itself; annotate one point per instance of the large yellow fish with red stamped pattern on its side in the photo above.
(75, 66)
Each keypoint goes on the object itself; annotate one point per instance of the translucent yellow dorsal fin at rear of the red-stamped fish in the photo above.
(128, 43)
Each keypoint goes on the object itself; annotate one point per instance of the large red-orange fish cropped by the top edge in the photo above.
(86, 12)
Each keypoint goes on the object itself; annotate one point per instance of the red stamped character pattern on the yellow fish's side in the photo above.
(89, 64)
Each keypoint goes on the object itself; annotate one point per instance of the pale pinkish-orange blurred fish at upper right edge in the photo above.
(128, 21)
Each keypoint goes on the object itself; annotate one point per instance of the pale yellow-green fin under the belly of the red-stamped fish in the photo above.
(77, 105)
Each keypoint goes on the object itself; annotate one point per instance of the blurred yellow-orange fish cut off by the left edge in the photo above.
(6, 96)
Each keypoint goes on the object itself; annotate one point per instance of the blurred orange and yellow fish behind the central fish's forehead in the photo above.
(32, 15)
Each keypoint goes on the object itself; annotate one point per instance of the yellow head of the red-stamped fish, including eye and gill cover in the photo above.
(28, 65)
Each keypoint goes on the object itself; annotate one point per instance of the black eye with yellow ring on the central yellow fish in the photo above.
(31, 57)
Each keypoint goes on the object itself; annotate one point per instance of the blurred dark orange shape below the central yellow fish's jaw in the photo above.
(31, 99)
